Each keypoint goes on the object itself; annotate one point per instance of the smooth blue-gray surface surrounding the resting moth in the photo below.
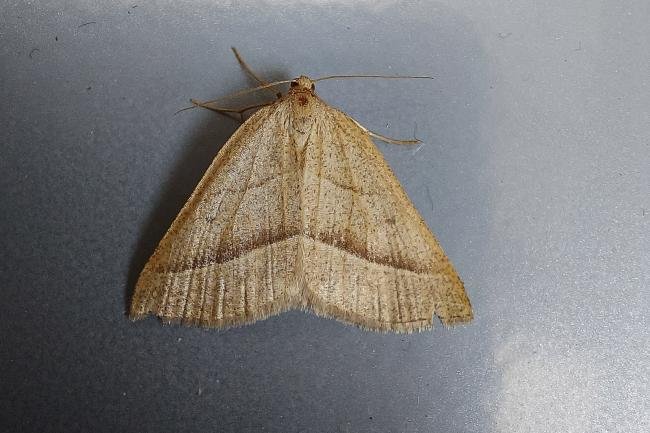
(534, 176)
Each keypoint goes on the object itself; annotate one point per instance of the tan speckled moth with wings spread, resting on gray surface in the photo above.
(300, 210)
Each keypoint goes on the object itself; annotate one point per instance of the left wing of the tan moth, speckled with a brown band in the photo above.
(229, 257)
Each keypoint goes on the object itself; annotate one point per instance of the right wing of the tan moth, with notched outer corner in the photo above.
(369, 257)
